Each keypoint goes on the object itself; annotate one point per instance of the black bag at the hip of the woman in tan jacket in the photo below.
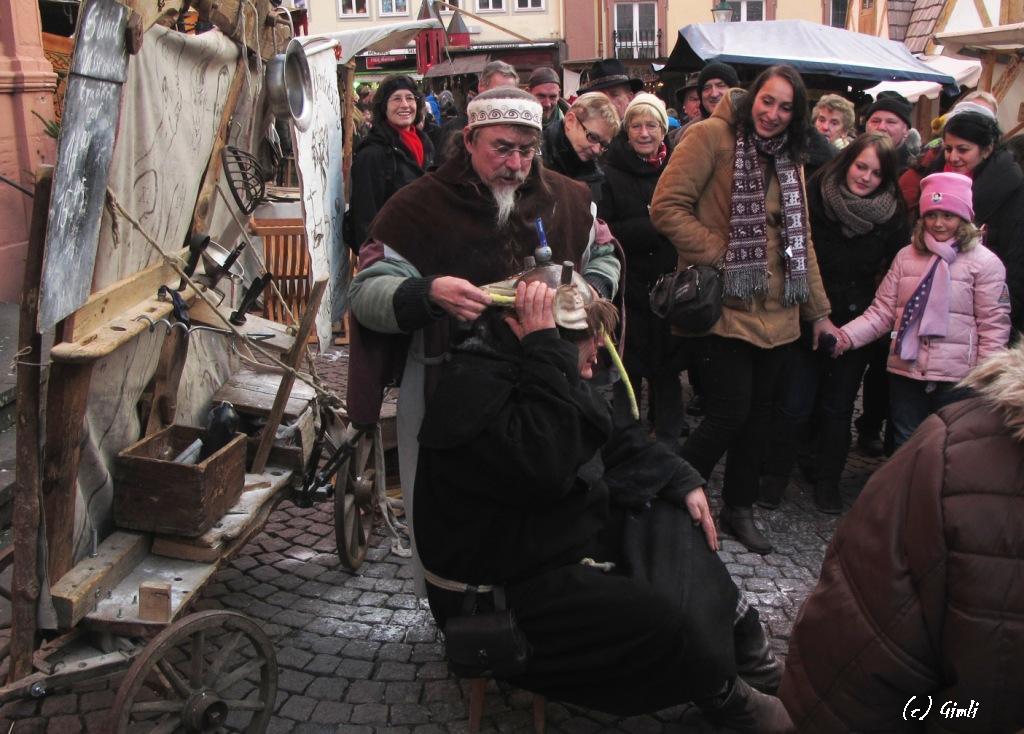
(691, 300)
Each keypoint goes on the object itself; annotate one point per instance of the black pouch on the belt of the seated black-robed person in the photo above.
(483, 644)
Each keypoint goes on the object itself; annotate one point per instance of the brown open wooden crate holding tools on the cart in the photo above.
(154, 494)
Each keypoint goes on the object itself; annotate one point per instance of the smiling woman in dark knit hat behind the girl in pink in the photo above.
(971, 145)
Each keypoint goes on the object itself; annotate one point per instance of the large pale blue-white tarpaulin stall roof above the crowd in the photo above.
(812, 48)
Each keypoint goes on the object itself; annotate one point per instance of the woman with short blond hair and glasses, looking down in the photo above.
(573, 145)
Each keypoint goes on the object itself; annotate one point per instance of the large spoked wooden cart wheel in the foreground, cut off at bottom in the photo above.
(212, 672)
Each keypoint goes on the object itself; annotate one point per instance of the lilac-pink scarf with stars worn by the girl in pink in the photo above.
(927, 314)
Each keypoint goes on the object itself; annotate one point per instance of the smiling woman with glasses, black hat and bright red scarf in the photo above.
(394, 154)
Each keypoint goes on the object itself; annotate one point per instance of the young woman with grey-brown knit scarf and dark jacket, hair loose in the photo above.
(860, 225)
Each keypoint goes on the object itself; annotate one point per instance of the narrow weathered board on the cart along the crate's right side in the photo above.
(261, 489)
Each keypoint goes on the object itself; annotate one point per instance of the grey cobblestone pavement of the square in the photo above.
(359, 653)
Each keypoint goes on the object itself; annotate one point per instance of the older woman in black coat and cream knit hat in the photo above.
(633, 165)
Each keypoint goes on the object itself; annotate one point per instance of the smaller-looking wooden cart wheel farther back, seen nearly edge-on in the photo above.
(355, 487)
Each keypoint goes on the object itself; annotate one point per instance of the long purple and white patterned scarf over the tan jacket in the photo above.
(747, 254)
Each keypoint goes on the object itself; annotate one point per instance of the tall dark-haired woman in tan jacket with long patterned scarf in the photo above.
(733, 195)
